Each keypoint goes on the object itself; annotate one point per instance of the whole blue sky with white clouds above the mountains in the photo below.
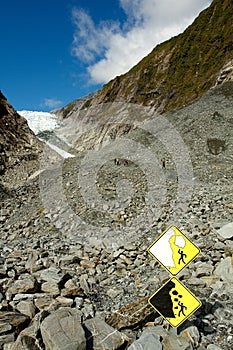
(54, 51)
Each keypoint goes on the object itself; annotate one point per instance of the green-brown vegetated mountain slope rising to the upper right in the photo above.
(178, 70)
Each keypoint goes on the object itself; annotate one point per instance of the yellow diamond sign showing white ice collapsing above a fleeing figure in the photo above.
(173, 250)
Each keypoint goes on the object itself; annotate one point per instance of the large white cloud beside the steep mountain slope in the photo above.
(110, 48)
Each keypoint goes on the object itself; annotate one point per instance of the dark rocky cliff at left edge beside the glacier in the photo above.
(17, 141)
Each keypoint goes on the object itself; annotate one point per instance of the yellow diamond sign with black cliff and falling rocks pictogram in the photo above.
(174, 302)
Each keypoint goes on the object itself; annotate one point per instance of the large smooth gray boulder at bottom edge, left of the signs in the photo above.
(62, 331)
